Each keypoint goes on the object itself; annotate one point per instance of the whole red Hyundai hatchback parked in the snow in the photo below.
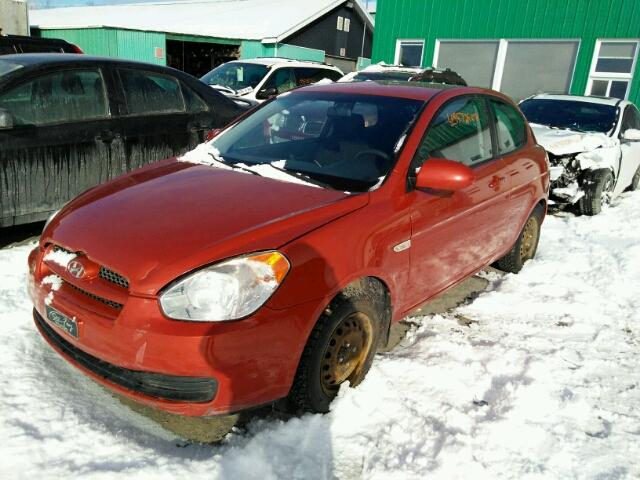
(271, 261)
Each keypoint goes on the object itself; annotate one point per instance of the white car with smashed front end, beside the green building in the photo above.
(593, 145)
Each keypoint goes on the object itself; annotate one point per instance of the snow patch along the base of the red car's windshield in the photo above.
(207, 154)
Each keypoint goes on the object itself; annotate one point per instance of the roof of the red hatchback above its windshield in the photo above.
(410, 90)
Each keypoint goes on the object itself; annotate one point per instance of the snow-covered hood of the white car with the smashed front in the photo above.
(565, 142)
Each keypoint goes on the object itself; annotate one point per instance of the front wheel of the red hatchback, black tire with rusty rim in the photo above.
(361, 303)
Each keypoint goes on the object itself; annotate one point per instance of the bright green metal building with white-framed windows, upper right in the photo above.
(520, 47)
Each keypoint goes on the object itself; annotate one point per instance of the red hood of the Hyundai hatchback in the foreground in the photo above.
(162, 221)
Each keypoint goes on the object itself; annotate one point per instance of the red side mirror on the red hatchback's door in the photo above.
(447, 175)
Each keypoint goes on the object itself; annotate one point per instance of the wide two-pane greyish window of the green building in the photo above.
(518, 68)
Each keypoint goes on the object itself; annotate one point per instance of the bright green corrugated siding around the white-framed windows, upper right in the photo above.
(588, 20)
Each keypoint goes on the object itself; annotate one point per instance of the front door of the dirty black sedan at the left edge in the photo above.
(61, 142)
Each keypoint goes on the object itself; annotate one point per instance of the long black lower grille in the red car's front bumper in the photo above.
(167, 387)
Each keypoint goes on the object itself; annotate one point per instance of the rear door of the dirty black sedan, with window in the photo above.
(155, 121)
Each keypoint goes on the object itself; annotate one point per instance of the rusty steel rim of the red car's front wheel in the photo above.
(346, 351)
